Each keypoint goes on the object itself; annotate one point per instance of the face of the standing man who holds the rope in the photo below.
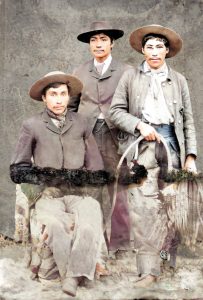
(155, 52)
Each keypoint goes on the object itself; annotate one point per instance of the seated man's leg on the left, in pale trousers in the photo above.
(57, 231)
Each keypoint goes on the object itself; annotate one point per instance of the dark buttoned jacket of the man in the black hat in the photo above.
(98, 91)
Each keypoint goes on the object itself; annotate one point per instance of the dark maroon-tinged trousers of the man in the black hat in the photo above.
(120, 223)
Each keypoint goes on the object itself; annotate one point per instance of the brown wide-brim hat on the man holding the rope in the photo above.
(174, 39)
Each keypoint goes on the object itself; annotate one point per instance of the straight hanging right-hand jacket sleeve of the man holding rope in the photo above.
(188, 121)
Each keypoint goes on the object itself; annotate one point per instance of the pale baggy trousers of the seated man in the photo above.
(72, 229)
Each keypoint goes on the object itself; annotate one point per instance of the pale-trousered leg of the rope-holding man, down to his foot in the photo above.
(147, 217)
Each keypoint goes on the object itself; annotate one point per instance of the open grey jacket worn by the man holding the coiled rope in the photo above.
(128, 103)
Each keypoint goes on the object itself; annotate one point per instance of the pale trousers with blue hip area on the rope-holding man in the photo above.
(147, 213)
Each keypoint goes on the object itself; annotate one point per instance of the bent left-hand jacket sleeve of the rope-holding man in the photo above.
(119, 109)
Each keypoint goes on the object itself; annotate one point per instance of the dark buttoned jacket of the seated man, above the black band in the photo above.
(73, 147)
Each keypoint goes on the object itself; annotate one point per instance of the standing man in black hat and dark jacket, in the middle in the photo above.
(100, 77)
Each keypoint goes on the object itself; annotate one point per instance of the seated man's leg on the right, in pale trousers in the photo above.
(87, 236)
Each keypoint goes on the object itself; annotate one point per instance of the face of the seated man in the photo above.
(56, 99)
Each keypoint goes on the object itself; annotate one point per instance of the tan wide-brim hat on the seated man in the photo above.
(74, 84)
